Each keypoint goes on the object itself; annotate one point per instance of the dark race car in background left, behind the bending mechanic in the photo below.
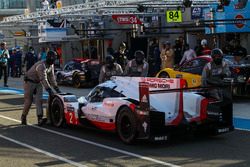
(79, 72)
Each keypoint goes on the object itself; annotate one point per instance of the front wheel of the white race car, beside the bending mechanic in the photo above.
(57, 112)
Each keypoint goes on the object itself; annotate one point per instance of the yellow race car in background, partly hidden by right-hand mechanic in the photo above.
(191, 71)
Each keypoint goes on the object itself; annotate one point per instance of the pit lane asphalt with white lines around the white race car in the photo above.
(75, 146)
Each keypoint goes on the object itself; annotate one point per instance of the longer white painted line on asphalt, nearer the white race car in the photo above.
(96, 144)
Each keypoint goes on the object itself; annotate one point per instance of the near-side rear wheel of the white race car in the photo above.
(126, 125)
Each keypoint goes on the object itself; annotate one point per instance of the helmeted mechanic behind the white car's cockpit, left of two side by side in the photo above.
(109, 69)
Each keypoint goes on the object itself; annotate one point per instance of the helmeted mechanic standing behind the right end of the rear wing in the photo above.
(215, 71)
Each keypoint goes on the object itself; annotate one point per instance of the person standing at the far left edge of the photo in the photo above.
(4, 56)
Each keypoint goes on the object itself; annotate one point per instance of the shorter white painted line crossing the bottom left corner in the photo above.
(43, 152)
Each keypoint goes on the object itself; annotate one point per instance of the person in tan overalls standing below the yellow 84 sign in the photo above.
(167, 56)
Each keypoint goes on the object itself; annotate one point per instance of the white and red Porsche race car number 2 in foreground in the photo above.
(143, 108)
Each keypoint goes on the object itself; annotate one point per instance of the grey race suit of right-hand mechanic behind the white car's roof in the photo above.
(134, 70)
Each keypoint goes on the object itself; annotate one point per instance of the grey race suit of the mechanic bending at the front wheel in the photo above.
(40, 75)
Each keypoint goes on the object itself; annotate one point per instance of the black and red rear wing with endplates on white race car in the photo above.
(150, 121)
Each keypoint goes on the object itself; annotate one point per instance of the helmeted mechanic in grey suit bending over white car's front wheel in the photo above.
(38, 76)
